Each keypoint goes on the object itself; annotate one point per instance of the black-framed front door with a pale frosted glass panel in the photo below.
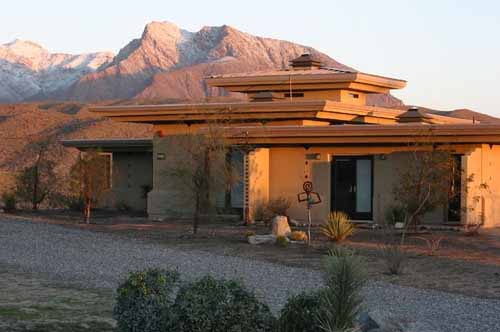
(352, 186)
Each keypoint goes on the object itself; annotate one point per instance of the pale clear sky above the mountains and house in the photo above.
(447, 50)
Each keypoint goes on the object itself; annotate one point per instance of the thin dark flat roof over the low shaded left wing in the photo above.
(111, 145)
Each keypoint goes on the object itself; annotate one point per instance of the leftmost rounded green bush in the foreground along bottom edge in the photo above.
(144, 300)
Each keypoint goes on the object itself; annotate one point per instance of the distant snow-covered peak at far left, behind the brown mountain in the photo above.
(29, 71)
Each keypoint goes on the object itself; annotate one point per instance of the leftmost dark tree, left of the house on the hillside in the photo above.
(37, 182)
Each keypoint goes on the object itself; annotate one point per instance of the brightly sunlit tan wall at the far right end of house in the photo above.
(482, 184)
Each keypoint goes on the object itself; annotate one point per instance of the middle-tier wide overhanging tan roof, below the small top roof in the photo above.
(240, 112)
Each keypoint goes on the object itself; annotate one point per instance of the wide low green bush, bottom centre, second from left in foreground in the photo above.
(219, 306)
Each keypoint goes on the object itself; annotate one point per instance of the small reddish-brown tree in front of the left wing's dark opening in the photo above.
(89, 179)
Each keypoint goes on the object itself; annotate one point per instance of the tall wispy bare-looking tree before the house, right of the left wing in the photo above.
(199, 168)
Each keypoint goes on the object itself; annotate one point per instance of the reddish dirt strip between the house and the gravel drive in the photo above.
(463, 264)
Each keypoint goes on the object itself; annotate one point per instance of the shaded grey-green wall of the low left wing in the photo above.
(131, 173)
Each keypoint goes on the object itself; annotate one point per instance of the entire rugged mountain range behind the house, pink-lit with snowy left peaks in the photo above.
(165, 63)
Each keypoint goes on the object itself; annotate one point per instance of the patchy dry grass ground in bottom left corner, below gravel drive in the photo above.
(33, 303)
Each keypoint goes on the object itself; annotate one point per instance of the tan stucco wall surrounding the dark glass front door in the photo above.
(290, 167)
